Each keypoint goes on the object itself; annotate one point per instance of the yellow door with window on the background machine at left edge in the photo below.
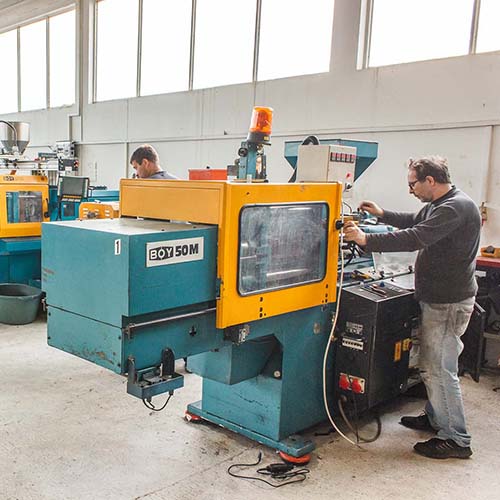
(23, 207)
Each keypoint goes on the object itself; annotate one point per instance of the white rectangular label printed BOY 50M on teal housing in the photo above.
(162, 253)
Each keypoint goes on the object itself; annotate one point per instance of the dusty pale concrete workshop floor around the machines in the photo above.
(68, 430)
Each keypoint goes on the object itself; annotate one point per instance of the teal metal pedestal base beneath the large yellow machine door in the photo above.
(285, 397)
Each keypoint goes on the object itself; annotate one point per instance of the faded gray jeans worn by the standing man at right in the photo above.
(441, 327)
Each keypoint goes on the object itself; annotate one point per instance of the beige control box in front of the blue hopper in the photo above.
(326, 163)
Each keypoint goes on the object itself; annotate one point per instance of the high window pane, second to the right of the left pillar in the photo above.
(166, 46)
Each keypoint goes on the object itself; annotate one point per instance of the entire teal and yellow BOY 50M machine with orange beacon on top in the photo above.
(245, 286)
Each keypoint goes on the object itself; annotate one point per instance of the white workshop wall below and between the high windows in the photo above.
(449, 107)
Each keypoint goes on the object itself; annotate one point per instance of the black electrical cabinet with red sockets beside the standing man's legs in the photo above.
(373, 333)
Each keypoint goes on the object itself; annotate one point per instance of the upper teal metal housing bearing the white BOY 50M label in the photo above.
(128, 267)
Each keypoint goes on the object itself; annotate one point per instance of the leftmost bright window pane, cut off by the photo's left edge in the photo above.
(8, 56)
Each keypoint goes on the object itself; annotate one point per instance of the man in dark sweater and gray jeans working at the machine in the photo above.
(446, 234)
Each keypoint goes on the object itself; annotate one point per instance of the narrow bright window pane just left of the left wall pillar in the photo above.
(62, 59)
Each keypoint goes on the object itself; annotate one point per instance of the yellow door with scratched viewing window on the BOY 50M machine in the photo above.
(278, 250)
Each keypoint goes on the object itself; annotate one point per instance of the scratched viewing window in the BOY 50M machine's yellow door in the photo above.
(281, 246)
